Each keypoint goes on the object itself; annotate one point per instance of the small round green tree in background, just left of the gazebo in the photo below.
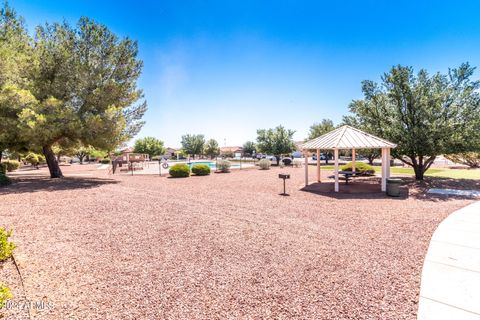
(275, 141)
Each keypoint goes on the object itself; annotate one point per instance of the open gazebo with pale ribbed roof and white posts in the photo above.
(345, 138)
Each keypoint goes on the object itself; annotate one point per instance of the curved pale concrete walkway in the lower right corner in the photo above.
(450, 286)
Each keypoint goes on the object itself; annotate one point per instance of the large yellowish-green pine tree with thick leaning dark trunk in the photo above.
(80, 86)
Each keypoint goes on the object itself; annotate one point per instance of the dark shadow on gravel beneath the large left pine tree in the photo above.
(34, 184)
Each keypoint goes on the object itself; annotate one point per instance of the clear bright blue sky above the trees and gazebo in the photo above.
(227, 68)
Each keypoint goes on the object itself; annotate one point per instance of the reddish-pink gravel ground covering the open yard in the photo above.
(215, 247)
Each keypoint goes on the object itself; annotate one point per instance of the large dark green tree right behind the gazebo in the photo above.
(425, 115)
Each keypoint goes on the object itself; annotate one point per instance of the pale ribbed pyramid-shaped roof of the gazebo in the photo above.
(347, 137)
